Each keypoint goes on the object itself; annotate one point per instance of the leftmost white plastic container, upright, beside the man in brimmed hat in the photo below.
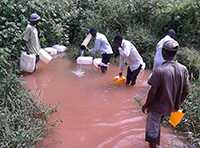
(27, 62)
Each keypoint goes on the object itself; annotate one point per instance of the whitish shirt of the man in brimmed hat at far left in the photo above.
(32, 40)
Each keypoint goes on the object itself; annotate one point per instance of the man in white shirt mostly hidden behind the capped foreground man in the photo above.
(158, 59)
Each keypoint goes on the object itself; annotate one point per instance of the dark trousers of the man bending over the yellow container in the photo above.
(132, 75)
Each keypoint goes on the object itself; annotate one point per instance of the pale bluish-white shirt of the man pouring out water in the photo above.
(102, 45)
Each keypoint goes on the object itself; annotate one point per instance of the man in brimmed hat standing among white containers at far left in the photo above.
(31, 36)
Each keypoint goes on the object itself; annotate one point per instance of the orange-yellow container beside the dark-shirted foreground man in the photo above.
(176, 117)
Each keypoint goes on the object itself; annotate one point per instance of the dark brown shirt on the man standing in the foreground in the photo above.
(172, 77)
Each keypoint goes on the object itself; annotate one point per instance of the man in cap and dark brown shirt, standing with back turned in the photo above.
(169, 88)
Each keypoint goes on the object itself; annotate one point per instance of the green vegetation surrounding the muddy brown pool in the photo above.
(143, 22)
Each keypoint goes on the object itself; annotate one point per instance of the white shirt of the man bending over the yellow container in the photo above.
(129, 55)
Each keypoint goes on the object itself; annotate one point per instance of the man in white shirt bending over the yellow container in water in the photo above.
(130, 56)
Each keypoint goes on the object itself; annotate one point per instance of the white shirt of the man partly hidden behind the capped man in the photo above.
(158, 59)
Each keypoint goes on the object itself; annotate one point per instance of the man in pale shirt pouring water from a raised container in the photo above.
(103, 47)
